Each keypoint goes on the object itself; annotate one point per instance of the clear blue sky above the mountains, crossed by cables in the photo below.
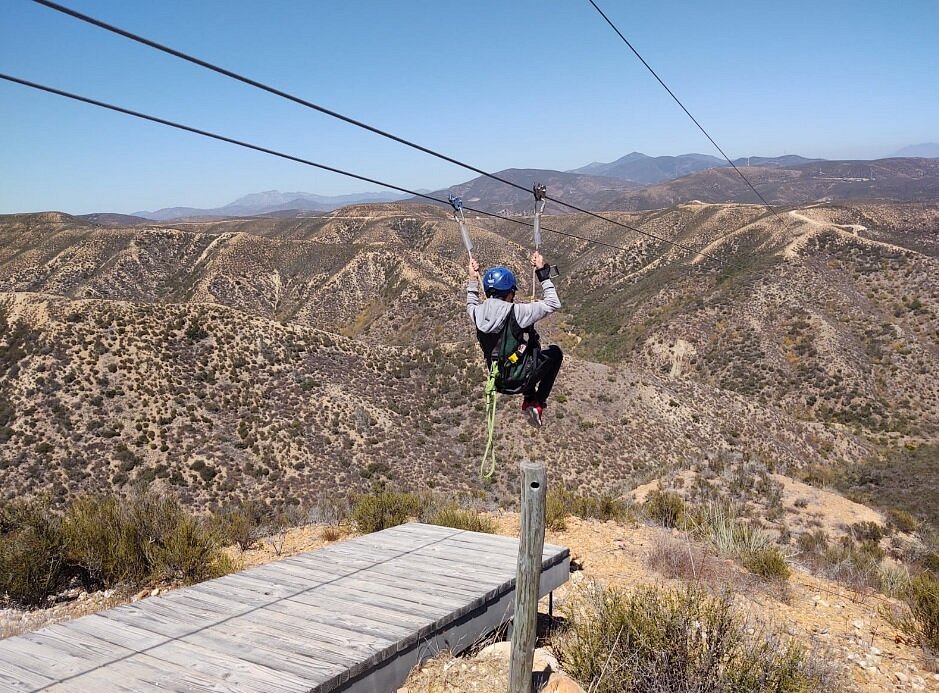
(496, 83)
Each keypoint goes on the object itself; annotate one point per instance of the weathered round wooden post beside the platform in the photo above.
(531, 546)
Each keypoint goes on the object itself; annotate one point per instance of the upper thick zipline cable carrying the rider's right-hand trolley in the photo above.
(352, 121)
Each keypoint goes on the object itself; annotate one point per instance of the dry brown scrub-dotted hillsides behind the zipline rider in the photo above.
(282, 357)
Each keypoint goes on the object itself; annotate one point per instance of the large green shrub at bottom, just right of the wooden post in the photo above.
(656, 639)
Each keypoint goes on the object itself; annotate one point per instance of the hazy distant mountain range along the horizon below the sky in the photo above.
(632, 182)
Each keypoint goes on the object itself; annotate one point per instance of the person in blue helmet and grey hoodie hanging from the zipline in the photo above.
(489, 318)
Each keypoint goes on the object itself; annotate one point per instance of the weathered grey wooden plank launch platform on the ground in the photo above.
(356, 616)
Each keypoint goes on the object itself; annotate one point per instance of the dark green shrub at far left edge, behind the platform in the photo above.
(33, 562)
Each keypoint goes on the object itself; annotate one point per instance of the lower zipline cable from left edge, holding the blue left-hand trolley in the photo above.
(282, 155)
